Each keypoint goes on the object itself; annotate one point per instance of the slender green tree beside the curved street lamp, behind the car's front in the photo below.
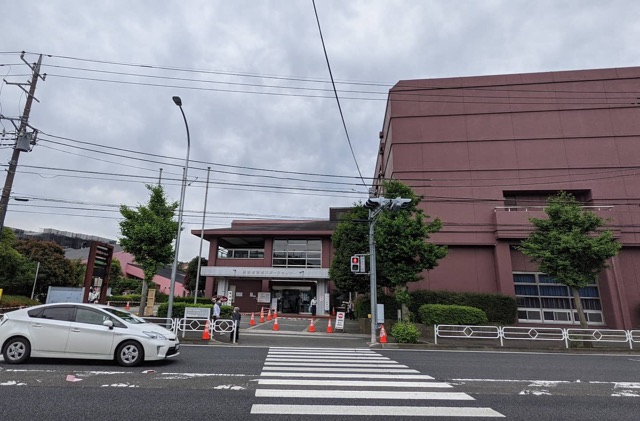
(148, 233)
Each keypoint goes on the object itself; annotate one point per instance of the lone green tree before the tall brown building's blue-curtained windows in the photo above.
(570, 246)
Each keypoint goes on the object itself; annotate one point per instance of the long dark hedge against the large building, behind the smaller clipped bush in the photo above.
(499, 309)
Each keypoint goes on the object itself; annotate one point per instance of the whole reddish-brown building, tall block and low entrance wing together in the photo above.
(486, 153)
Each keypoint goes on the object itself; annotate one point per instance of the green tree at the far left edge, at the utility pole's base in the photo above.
(17, 273)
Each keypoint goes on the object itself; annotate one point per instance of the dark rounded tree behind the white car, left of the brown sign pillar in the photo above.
(55, 269)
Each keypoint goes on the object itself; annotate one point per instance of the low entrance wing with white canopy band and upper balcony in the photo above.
(282, 265)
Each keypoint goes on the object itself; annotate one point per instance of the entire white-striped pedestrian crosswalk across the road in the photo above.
(291, 374)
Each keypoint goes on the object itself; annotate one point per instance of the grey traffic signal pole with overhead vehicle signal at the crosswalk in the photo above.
(376, 205)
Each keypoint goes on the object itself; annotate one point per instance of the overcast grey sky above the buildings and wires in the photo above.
(256, 92)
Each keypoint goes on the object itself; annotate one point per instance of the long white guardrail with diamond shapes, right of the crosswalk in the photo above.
(566, 335)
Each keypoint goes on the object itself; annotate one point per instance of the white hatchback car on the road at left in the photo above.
(86, 331)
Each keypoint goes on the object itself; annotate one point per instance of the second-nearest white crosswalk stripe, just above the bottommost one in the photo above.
(360, 394)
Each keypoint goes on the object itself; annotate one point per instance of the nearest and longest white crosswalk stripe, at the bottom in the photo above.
(387, 411)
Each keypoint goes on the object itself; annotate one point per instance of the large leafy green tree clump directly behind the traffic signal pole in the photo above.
(402, 249)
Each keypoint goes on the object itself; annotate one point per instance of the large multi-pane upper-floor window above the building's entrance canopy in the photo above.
(297, 253)
